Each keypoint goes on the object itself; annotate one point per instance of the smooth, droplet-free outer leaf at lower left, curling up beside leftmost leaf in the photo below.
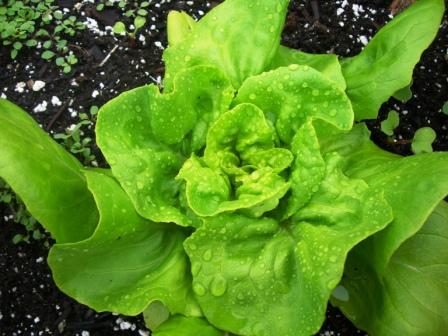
(128, 262)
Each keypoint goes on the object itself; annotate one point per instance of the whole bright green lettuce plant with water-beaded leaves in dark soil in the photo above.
(244, 197)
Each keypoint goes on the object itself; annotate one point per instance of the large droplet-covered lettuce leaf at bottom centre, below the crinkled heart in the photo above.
(276, 279)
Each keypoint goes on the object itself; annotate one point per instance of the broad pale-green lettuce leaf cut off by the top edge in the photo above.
(239, 37)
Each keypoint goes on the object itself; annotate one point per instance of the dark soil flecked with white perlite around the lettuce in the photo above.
(30, 304)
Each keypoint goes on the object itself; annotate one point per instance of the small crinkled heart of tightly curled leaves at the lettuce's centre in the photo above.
(240, 166)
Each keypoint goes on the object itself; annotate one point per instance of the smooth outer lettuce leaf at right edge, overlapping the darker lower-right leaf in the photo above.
(413, 186)
